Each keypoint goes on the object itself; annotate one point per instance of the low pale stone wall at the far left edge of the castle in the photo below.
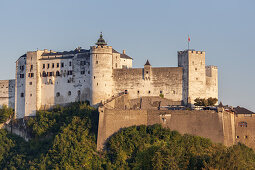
(7, 93)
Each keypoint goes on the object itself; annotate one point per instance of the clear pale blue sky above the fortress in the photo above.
(146, 29)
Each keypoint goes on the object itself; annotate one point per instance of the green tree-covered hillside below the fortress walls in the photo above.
(65, 138)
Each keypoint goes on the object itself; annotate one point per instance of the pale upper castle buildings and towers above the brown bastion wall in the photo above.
(45, 78)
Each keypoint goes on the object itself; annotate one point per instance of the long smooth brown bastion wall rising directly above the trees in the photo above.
(216, 126)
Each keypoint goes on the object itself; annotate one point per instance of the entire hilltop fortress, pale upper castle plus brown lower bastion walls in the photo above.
(126, 96)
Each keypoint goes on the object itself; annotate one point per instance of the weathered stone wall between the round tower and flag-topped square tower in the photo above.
(152, 82)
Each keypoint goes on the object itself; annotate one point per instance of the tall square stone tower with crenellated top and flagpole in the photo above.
(194, 74)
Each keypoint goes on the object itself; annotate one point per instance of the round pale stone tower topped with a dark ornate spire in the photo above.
(101, 71)
